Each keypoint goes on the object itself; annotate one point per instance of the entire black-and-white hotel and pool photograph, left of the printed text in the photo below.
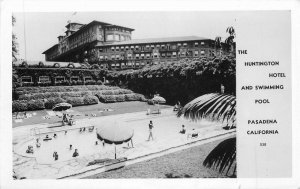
(124, 95)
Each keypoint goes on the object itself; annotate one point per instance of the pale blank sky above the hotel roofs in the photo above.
(38, 31)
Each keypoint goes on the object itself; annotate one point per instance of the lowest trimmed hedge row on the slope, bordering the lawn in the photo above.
(39, 104)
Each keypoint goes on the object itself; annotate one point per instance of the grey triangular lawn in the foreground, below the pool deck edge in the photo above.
(183, 164)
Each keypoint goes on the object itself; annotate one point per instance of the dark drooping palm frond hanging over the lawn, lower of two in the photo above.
(223, 156)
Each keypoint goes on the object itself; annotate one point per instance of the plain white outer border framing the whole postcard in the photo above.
(9, 6)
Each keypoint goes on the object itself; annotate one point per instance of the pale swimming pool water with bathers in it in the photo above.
(84, 142)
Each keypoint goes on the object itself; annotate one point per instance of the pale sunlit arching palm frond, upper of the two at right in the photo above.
(214, 106)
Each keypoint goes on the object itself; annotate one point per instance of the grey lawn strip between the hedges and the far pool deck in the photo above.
(118, 107)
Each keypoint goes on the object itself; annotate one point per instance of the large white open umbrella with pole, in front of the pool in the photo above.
(114, 134)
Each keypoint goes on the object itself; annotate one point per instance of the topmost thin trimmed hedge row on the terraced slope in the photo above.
(30, 90)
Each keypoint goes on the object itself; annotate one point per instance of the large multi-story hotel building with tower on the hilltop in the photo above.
(112, 47)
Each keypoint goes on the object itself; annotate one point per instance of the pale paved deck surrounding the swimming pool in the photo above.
(166, 140)
